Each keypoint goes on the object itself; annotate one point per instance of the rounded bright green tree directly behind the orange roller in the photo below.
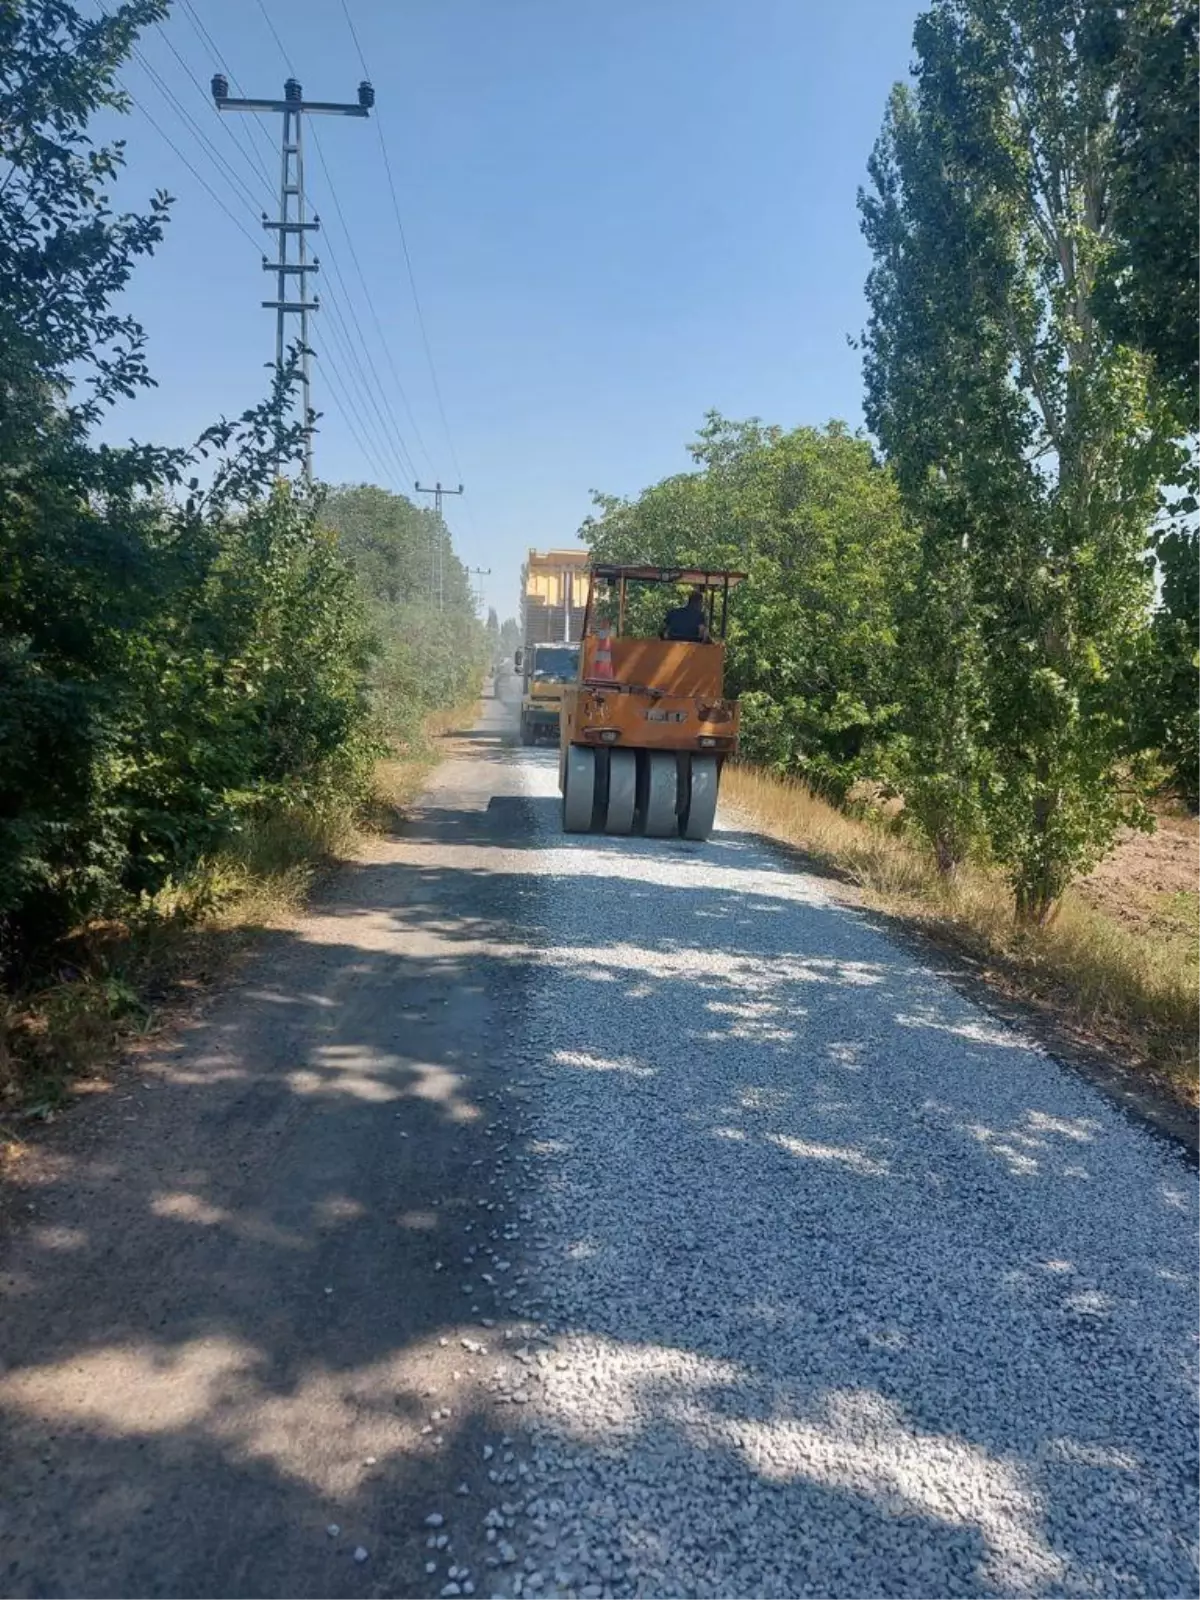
(817, 526)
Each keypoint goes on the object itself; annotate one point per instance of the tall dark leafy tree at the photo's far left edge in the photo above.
(65, 596)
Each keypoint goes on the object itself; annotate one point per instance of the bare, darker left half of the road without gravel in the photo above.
(239, 1342)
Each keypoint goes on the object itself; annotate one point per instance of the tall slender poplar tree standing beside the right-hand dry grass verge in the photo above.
(1026, 441)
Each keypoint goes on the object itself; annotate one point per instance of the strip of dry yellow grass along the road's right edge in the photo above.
(1134, 991)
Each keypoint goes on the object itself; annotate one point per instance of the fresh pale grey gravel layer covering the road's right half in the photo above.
(847, 1289)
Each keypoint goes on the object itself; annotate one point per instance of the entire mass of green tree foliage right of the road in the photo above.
(975, 623)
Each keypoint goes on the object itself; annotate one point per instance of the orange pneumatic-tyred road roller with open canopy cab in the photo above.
(647, 727)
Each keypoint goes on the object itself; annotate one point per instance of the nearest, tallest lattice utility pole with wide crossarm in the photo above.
(294, 223)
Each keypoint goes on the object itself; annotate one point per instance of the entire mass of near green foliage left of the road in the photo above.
(174, 658)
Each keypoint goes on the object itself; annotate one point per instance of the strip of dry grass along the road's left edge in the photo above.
(124, 980)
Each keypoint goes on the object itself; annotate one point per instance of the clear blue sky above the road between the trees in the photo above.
(620, 214)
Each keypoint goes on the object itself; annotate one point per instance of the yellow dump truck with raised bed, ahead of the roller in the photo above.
(553, 615)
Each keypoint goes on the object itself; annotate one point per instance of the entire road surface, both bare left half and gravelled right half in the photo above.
(617, 1220)
